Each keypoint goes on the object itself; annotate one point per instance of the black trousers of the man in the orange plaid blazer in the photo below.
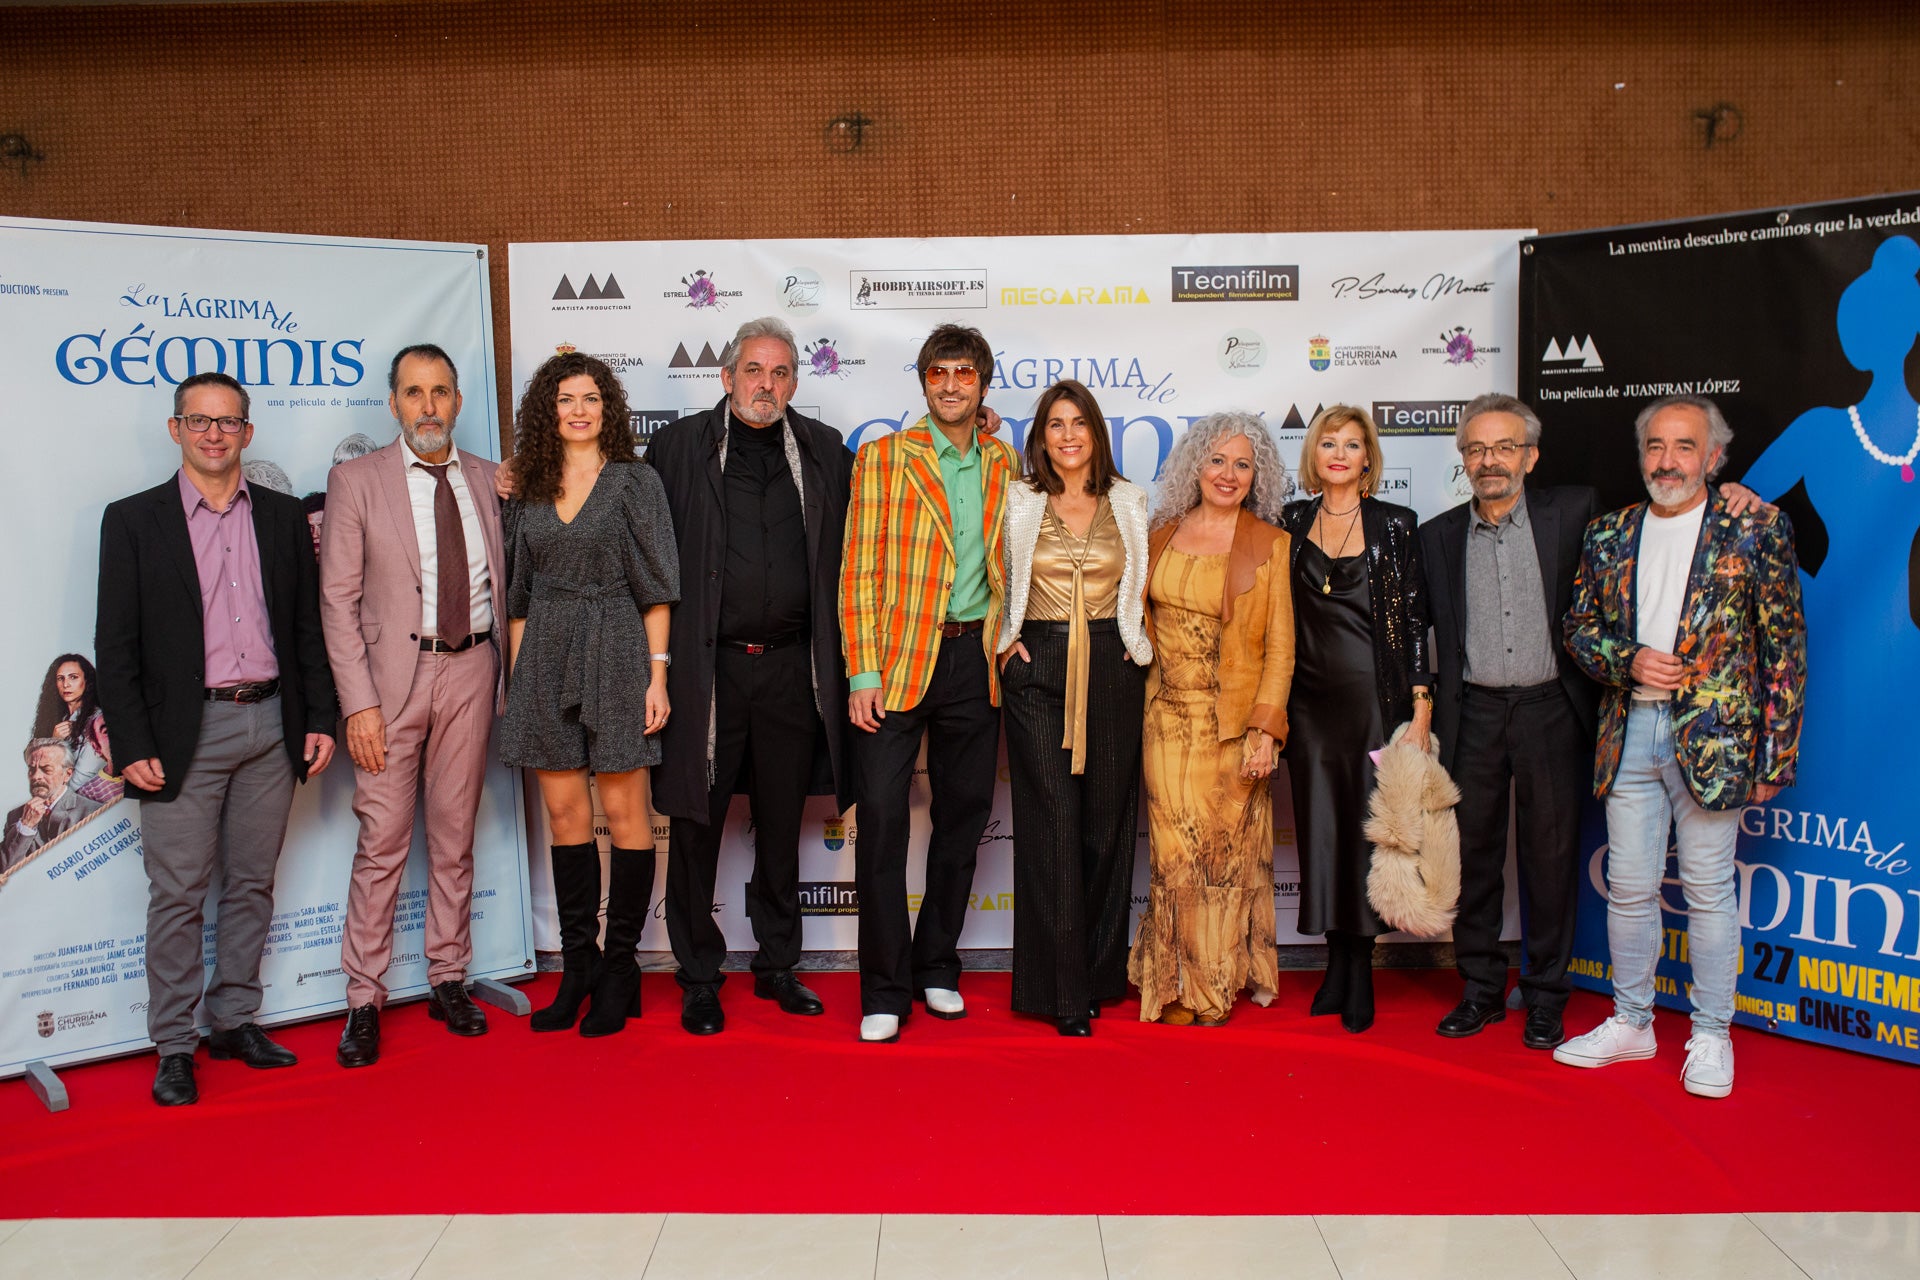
(963, 730)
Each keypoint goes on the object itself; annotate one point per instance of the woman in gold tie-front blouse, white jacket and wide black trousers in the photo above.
(1072, 671)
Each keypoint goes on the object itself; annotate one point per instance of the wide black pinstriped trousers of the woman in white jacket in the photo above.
(1074, 836)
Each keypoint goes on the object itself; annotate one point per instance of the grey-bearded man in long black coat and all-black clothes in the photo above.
(759, 500)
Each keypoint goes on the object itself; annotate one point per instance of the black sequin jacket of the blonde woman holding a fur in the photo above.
(1399, 598)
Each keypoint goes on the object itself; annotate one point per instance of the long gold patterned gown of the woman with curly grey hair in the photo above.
(1209, 926)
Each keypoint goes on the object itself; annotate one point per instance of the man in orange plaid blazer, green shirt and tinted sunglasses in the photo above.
(923, 586)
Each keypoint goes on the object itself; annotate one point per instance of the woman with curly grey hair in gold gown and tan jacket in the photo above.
(1222, 623)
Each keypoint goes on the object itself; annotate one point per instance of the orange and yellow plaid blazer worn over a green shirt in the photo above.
(898, 563)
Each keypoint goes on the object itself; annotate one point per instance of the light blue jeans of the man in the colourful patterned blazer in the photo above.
(1650, 805)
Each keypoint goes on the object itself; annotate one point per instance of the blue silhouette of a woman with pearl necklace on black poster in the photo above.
(1863, 646)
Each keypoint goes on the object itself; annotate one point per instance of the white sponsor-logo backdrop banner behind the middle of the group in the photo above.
(1163, 329)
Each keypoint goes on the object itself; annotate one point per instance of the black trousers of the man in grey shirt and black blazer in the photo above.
(1527, 738)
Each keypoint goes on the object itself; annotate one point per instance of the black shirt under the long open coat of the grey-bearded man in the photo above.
(765, 594)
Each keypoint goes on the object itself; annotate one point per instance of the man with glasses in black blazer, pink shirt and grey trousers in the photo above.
(214, 676)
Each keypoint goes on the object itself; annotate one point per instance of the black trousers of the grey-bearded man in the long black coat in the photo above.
(765, 719)
